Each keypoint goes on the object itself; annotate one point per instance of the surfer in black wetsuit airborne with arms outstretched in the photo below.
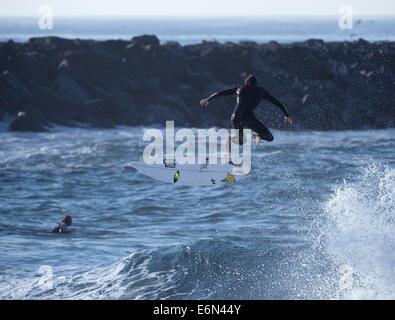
(248, 98)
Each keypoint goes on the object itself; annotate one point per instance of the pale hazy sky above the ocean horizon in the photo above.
(195, 7)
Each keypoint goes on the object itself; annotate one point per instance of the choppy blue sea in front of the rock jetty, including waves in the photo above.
(313, 220)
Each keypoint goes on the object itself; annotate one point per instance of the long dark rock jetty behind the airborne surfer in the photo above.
(325, 85)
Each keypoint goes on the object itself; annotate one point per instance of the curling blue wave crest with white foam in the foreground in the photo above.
(208, 269)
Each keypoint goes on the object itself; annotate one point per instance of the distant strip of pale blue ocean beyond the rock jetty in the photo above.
(283, 29)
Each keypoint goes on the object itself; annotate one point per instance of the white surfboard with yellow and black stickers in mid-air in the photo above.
(192, 174)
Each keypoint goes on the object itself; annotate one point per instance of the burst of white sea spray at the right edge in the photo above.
(361, 234)
